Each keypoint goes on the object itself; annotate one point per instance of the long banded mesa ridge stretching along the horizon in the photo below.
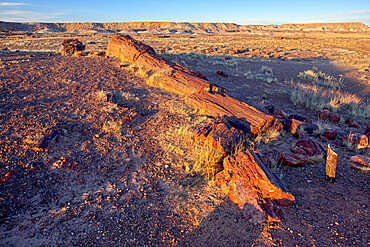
(173, 27)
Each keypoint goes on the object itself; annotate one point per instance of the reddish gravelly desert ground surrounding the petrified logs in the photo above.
(118, 173)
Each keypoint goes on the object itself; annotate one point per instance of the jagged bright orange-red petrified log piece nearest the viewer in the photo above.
(253, 187)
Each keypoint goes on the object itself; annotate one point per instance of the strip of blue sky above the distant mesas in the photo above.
(235, 11)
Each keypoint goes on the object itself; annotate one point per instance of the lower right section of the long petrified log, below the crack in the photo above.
(242, 115)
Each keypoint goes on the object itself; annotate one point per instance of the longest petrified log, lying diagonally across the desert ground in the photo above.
(199, 92)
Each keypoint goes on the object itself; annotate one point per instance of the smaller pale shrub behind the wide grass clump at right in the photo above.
(320, 79)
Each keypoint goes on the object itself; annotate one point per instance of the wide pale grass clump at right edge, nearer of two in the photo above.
(318, 98)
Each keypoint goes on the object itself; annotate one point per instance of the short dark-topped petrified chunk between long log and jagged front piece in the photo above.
(217, 134)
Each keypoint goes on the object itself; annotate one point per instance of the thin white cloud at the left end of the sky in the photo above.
(32, 16)
